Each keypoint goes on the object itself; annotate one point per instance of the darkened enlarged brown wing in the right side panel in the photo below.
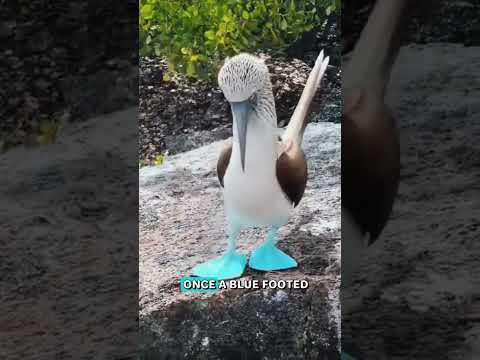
(370, 163)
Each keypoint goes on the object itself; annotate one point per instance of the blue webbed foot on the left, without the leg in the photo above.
(228, 266)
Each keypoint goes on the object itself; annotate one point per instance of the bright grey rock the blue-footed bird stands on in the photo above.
(182, 224)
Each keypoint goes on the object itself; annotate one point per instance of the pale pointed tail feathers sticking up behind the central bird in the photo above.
(297, 123)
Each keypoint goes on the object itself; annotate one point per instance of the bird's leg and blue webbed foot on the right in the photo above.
(267, 257)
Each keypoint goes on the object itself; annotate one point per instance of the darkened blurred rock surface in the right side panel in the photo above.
(419, 285)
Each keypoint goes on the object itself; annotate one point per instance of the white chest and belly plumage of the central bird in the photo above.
(254, 197)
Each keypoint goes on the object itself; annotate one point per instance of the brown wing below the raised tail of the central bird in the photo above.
(292, 173)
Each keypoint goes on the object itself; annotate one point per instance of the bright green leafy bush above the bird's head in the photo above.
(195, 35)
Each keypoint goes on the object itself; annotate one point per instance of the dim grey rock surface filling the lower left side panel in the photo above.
(68, 244)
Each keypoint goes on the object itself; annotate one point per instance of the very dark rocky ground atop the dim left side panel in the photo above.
(64, 62)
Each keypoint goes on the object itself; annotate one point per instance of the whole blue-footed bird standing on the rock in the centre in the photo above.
(263, 176)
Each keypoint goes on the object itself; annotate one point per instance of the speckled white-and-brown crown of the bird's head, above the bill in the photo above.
(241, 76)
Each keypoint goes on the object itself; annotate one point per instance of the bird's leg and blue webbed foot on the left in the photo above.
(228, 266)
